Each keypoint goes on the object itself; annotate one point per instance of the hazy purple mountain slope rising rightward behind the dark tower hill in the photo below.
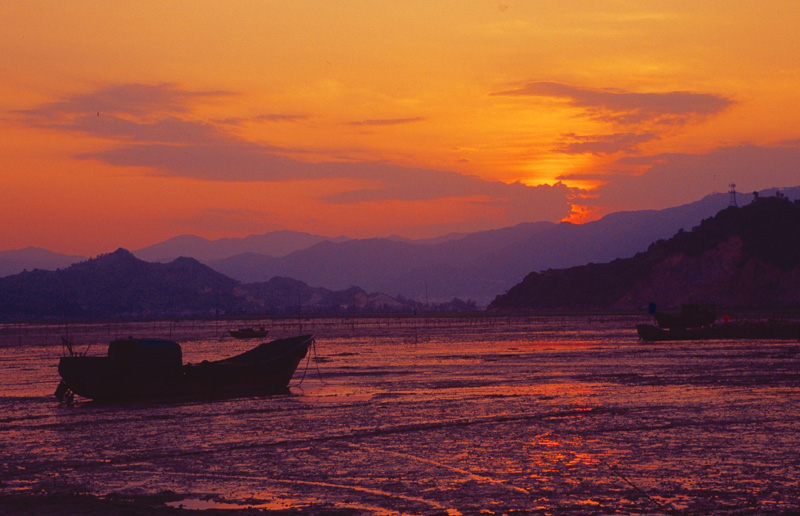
(476, 266)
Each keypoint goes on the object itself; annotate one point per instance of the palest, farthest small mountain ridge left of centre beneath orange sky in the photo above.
(276, 243)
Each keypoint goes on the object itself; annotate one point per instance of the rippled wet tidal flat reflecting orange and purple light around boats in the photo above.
(429, 416)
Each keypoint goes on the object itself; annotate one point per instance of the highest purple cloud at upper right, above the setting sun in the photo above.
(625, 107)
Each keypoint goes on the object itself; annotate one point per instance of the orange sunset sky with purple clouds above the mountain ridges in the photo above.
(127, 123)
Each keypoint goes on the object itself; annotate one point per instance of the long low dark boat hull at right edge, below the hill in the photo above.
(739, 330)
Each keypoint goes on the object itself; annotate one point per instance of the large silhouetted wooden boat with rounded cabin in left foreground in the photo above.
(138, 369)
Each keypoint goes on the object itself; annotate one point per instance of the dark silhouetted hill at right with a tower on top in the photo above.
(746, 257)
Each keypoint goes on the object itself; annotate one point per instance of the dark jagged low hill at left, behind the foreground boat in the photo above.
(118, 285)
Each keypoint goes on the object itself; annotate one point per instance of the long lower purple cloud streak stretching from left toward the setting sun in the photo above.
(383, 181)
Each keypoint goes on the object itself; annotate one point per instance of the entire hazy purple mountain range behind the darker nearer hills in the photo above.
(476, 266)
